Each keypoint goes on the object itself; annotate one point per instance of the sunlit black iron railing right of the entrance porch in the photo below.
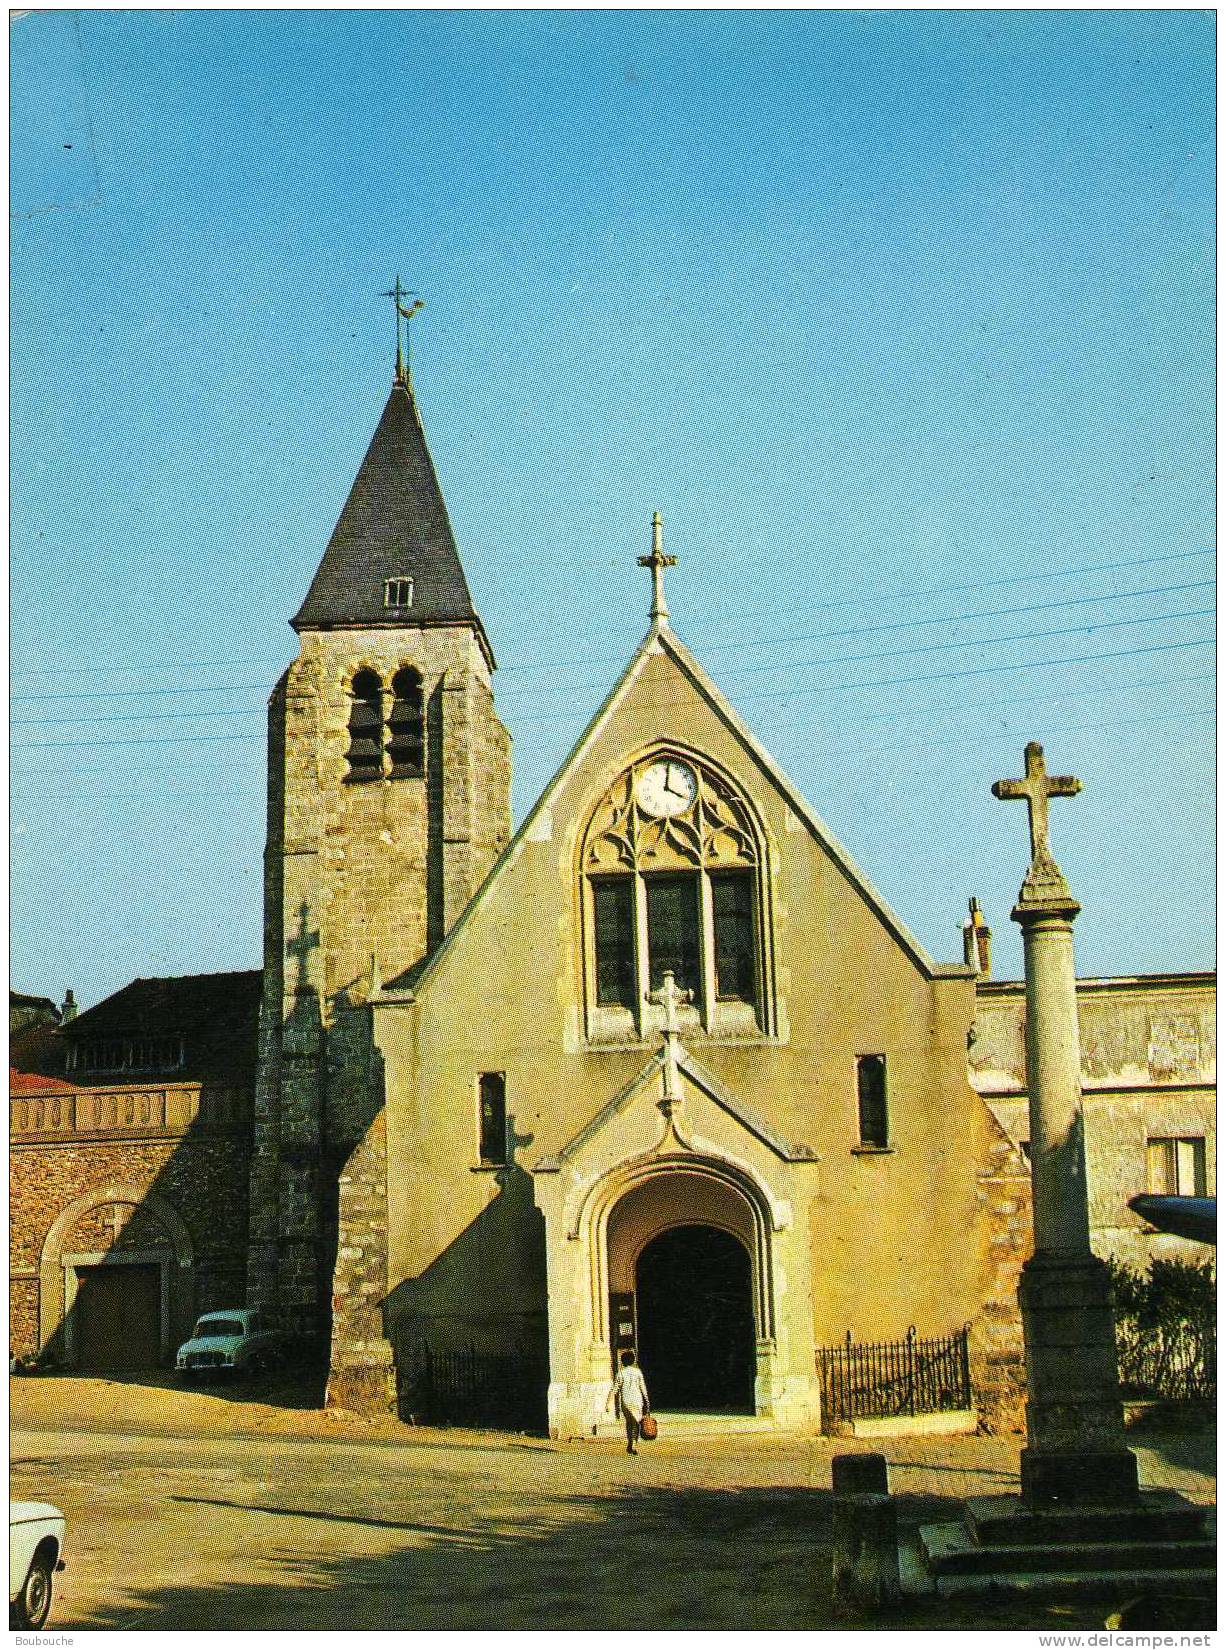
(915, 1377)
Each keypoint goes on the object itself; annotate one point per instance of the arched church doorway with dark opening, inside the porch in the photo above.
(684, 1291)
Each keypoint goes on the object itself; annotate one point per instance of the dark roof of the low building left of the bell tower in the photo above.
(215, 1014)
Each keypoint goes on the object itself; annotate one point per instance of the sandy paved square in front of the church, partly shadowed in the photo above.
(207, 1511)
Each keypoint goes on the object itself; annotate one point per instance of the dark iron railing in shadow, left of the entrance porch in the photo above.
(474, 1388)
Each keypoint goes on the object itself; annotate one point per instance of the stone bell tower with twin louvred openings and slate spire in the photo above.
(389, 801)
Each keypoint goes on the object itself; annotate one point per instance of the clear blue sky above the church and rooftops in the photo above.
(903, 321)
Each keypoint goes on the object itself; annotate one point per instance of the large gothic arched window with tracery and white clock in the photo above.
(674, 884)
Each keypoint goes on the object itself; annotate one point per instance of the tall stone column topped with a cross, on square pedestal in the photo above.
(1075, 1421)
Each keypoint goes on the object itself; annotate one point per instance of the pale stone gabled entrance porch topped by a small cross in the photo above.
(671, 1232)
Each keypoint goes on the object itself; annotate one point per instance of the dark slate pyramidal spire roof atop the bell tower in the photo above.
(394, 527)
